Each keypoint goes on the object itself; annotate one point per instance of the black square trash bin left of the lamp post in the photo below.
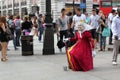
(27, 45)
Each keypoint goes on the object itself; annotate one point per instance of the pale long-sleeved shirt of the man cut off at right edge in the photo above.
(115, 27)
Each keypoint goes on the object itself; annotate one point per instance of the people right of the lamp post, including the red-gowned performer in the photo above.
(88, 30)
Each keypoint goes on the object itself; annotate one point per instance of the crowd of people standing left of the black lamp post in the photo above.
(33, 25)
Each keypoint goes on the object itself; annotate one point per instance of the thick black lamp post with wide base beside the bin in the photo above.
(48, 44)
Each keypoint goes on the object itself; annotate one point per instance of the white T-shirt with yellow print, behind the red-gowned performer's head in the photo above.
(78, 19)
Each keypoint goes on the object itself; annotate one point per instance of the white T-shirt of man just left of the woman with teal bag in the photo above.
(94, 21)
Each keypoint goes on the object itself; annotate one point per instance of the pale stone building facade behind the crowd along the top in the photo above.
(25, 7)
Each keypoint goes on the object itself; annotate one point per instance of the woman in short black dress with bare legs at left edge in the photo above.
(3, 39)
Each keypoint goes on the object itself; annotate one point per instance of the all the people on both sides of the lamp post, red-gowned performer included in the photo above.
(82, 31)
